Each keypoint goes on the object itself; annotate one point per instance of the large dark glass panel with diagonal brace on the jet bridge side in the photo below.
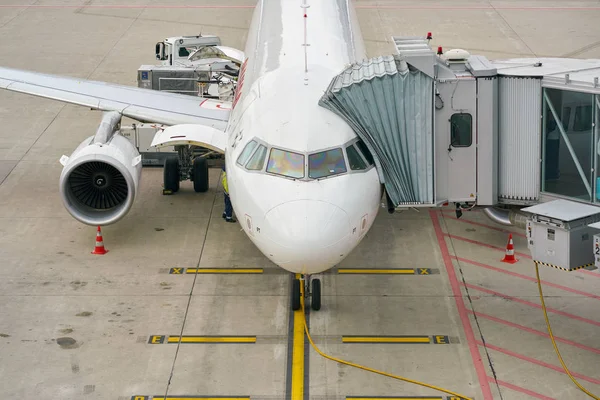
(561, 173)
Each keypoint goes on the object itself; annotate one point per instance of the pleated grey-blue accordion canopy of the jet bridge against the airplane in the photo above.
(388, 104)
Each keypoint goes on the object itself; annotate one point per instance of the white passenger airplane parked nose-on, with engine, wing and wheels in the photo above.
(302, 184)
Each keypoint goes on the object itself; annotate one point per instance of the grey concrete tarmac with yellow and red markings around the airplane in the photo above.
(184, 306)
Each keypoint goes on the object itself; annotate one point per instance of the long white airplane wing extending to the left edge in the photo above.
(144, 105)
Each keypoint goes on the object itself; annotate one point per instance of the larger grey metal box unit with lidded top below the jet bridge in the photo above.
(559, 235)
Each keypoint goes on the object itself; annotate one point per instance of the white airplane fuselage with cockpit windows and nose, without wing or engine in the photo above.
(297, 191)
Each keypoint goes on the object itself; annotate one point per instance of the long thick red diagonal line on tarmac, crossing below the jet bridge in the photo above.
(462, 310)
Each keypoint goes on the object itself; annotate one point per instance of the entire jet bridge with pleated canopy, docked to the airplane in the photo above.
(459, 128)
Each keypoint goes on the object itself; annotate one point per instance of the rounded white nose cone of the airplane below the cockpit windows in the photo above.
(309, 235)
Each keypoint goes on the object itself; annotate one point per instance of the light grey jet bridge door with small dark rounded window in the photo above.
(456, 139)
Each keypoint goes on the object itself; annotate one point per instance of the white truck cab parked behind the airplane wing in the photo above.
(176, 50)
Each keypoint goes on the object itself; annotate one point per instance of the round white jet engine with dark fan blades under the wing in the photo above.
(100, 179)
